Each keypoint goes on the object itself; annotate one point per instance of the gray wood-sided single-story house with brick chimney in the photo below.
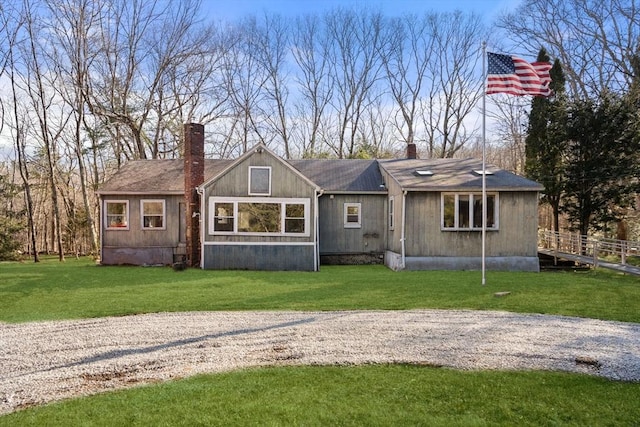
(263, 212)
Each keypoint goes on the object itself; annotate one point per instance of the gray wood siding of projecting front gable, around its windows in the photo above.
(259, 251)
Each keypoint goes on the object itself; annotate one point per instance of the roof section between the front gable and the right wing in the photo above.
(342, 176)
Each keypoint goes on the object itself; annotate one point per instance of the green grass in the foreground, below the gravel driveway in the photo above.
(384, 395)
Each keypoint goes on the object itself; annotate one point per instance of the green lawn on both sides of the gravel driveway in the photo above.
(364, 395)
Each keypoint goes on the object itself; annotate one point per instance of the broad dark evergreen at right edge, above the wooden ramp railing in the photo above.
(602, 161)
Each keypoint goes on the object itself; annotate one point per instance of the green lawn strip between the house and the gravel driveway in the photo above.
(80, 289)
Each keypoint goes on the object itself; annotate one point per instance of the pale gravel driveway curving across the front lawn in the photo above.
(46, 361)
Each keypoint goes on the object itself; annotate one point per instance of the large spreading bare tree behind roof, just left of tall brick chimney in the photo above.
(142, 44)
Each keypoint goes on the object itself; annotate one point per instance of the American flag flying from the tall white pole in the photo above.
(515, 76)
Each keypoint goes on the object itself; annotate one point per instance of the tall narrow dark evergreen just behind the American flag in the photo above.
(546, 139)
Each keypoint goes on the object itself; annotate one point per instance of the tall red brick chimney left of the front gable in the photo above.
(193, 177)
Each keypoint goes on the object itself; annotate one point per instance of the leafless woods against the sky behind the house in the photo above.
(87, 85)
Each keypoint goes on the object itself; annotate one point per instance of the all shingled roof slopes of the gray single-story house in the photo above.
(333, 176)
